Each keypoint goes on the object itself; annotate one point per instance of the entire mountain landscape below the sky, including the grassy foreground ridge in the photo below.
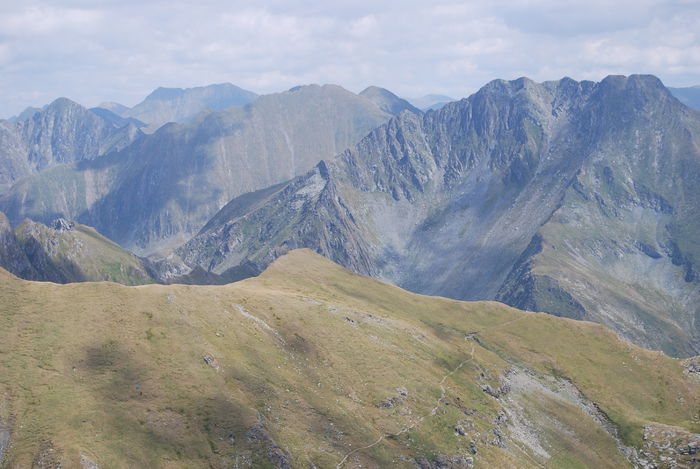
(574, 198)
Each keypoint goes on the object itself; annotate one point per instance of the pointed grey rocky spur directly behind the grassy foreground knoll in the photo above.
(281, 225)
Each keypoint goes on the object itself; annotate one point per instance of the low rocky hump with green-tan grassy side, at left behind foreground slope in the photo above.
(66, 252)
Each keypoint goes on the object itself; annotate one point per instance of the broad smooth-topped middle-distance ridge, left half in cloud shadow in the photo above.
(161, 190)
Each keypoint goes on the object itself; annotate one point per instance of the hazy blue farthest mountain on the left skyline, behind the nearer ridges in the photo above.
(182, 105)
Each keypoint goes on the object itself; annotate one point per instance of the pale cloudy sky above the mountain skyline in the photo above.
(98, 50)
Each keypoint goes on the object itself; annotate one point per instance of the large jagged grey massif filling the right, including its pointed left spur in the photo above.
(575, 198)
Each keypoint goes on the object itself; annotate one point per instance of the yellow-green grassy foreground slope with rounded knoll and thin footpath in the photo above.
(303, 355)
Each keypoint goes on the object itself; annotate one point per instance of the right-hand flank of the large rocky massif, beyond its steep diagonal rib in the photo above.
(622, 248)
